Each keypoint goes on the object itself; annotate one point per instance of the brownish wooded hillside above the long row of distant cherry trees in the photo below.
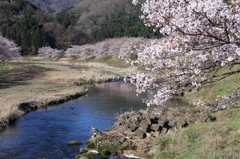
(95, 21)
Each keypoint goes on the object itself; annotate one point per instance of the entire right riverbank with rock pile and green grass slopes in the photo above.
(180, 133)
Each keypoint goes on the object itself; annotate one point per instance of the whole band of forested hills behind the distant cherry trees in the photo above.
(89, 21)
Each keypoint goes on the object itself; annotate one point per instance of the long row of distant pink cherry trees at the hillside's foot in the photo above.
(117, 47)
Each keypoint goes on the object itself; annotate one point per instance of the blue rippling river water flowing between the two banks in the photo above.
(44, 134)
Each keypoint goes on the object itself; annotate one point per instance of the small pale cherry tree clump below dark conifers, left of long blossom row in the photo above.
(49, 52)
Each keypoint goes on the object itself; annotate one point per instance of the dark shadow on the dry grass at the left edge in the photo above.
(21, 74)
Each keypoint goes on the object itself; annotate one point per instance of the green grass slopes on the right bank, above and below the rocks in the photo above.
(217, 140)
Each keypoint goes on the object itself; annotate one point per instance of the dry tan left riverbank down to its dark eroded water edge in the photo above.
(26, 85)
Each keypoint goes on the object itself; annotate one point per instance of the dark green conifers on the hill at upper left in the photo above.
(19, 26)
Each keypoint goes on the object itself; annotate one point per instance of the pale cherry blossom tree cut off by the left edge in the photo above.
(8, 50)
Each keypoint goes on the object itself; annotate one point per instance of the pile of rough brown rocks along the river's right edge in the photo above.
(135, 133)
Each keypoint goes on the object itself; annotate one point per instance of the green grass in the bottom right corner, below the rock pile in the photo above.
(220, 139)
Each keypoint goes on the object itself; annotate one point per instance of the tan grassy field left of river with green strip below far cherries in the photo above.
(48, 80)
